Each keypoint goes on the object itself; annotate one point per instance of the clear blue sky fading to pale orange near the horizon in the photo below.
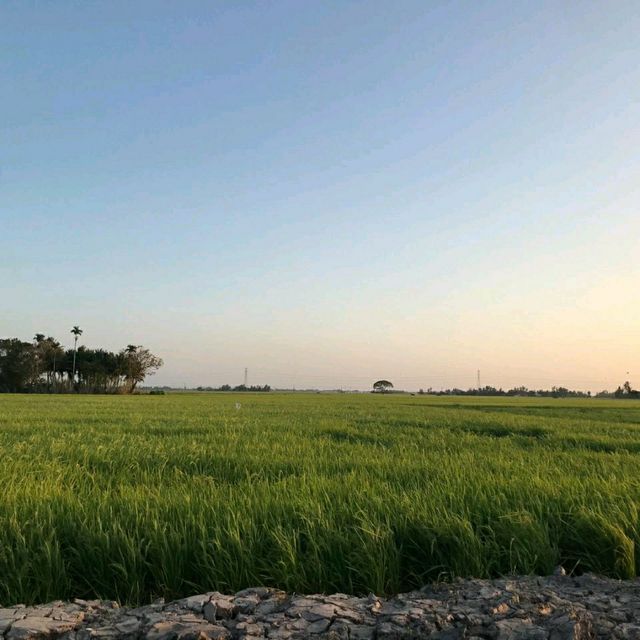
(327, 192)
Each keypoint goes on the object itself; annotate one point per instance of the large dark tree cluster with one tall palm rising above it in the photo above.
(45, 366)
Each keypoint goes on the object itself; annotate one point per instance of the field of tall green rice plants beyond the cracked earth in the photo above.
(131, 497)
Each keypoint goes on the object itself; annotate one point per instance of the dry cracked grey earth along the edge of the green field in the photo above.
(525, 608)
